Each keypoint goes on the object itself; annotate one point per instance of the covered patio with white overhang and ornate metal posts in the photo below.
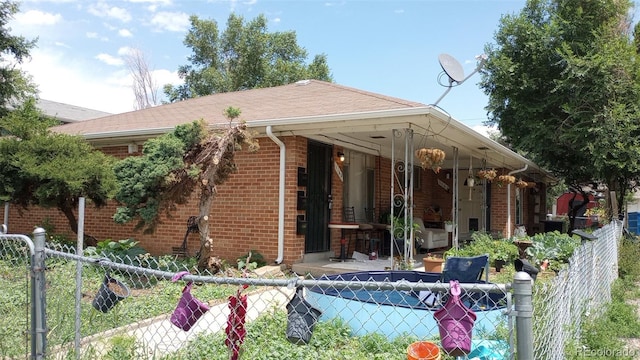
(462, 196)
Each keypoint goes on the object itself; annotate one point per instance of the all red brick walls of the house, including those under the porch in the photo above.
(244, 215)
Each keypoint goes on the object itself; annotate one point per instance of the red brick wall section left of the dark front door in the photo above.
(243, 217)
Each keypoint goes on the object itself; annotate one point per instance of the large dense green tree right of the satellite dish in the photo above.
(562, 81)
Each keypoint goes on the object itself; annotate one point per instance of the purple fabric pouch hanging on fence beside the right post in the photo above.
(455, 323)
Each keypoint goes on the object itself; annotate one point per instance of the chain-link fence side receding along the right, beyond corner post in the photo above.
(580, 290)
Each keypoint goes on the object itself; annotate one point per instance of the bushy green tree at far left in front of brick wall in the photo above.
(50, 170)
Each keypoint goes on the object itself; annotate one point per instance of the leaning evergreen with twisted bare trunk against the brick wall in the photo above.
(172, 167)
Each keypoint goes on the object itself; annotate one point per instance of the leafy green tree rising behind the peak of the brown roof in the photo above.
(244, 56)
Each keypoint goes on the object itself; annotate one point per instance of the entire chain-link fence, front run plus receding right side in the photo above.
(106, 307)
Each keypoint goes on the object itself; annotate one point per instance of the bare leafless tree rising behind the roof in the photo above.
(145, 88)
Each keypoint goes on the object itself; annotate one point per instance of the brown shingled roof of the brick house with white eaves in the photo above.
(319, 110)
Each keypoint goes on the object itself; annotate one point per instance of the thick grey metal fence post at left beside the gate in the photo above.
(38, 301)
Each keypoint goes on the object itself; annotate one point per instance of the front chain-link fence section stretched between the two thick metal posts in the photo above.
(156, 337)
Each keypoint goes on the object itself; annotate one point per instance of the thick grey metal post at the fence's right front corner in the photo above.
(523, 298)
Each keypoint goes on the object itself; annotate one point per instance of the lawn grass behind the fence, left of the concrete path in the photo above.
(60, 276)
